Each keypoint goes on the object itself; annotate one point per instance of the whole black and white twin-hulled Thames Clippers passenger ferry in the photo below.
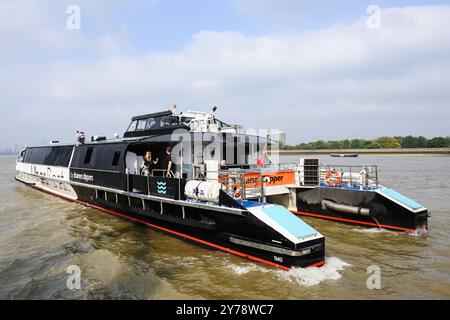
(216, 195)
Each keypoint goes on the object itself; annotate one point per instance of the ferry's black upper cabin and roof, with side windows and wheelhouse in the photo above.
(146, 132)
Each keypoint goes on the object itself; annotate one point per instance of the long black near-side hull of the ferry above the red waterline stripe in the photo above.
(243, 236)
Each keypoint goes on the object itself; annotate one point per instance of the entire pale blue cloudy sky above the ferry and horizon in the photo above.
(312, 68)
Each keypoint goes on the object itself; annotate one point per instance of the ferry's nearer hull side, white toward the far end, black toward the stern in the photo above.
(233, 230)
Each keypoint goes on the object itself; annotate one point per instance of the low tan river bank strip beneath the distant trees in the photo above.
(380, 152)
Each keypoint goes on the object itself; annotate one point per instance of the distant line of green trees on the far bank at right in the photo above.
(379, 143)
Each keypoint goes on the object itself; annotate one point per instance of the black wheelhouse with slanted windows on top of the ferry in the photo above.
(154, 124)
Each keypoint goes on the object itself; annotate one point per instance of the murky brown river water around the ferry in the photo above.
(41, 236)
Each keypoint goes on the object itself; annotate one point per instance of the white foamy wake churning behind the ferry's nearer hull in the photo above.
(305, 277)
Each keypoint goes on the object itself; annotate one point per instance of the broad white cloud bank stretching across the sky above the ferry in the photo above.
(345, 81)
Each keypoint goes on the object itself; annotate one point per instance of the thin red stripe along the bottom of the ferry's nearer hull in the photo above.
(240, 254)
